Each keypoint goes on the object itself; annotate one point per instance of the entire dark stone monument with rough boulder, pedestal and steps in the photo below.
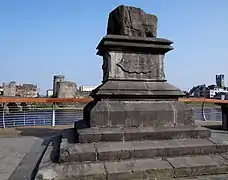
(135, 128)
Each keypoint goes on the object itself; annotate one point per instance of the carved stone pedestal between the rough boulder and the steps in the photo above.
(134, 91)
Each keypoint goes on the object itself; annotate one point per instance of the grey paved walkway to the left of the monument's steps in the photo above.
(20, 148)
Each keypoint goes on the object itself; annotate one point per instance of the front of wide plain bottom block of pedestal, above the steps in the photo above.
(140, 113)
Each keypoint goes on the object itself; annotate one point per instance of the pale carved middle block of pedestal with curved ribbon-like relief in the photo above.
(135, 66)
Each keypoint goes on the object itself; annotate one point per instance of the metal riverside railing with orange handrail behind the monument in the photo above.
(39, 114)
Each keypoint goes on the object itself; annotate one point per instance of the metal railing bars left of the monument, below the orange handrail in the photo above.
(40, 117)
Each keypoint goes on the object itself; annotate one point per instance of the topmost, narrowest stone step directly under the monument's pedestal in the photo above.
(144, 133)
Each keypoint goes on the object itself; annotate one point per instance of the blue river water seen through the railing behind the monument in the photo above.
(67, 117)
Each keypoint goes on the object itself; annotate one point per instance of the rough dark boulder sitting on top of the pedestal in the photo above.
(132, 21)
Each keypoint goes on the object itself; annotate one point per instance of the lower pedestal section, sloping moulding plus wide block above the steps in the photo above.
(137, 104)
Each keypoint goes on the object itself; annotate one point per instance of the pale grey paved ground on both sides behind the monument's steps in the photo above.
(16, 143)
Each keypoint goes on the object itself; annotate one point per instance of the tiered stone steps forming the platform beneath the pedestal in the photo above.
(202, 156)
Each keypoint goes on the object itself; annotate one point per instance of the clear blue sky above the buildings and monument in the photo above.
(40, 38)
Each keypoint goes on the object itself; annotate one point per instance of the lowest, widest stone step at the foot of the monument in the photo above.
(137, 169)
